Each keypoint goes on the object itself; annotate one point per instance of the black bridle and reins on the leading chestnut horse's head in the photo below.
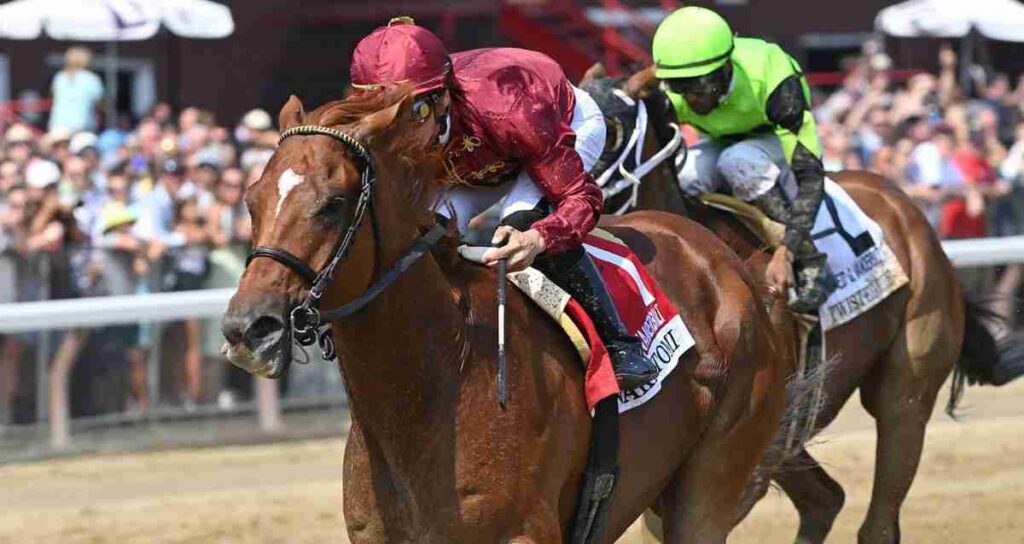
(307, 319)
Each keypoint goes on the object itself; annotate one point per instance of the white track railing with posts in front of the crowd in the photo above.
(101, 312)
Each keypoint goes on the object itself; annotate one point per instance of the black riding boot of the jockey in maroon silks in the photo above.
(584, 283)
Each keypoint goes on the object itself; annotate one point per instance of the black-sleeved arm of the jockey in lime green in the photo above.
(789, 111)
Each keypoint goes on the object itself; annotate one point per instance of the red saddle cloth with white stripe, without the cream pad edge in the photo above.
(646, 312)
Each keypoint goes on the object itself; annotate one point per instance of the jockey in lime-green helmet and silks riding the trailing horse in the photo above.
(751, 102)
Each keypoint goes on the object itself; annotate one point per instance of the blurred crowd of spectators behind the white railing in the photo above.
(155, 204)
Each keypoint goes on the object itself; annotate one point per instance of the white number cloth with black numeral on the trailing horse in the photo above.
(865, 267)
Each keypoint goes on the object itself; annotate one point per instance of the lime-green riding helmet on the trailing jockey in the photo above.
(692, 43)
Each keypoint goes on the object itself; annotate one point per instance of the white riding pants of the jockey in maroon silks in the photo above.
(522, 194)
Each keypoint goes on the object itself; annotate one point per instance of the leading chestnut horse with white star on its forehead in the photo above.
(431, 457)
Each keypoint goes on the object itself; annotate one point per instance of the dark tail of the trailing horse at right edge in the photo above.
(985, 360)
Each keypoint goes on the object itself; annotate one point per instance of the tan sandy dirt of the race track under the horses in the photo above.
(970, 489)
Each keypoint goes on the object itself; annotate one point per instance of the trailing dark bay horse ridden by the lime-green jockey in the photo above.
(899, 354)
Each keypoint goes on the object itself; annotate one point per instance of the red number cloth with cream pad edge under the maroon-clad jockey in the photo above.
(644, 308)
